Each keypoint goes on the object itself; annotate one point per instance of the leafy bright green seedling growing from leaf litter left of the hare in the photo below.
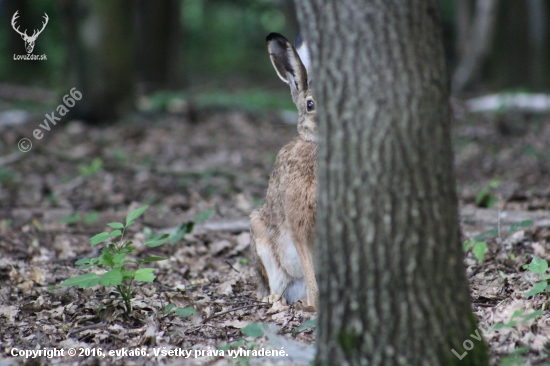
(113, 258)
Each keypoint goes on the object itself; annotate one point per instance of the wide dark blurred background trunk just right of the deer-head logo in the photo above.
(99, 56)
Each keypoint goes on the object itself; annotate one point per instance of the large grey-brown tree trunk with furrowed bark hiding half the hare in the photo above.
(396, 292)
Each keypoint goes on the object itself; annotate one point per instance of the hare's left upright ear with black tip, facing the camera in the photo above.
(286, 62)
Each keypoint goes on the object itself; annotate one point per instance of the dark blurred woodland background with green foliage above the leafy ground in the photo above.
(212, 52)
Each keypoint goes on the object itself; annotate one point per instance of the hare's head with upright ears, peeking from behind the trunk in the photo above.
(293, 66)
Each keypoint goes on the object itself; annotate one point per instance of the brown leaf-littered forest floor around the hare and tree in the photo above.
(78, 178)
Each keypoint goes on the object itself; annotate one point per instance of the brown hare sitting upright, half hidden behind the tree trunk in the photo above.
(282, 230)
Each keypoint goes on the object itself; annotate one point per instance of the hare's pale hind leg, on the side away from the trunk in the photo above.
(273, 277)
